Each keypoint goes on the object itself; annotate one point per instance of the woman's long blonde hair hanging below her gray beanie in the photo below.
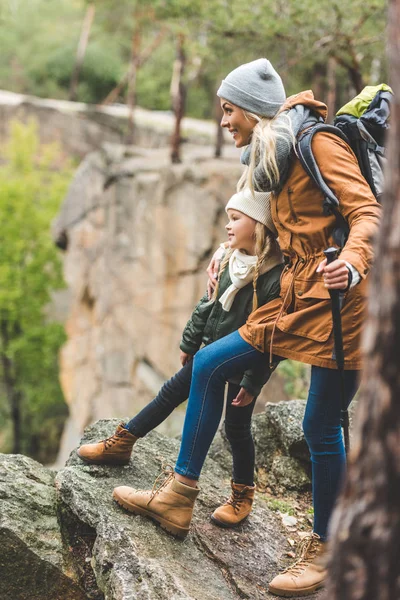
(266, 133)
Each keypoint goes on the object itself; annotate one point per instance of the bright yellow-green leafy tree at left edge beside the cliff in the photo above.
(31, 187)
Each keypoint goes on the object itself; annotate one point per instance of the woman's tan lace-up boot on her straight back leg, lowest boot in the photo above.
(307, 574)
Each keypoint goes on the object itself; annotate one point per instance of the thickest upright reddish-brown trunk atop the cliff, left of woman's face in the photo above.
(178, 96)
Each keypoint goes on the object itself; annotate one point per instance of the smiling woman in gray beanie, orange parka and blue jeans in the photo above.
(298, 324)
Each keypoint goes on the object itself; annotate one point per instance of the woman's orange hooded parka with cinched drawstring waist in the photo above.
(298, 324)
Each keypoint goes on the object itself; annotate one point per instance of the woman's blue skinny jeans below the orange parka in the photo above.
(222, 360)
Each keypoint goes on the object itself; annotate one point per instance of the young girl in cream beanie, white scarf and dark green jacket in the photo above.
(248, 277)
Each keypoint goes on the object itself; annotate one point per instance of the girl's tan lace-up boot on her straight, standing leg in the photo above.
(236, 508)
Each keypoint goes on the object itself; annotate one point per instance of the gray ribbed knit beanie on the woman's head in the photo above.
(254, 86)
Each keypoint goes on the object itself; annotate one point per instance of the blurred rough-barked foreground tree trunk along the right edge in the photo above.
(365, 562)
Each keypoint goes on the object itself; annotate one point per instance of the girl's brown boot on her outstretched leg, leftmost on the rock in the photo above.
(115, 450)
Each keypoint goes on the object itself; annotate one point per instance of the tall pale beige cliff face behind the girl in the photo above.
(138, 234)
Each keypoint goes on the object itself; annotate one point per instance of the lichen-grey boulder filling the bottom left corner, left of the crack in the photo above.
(34, 563)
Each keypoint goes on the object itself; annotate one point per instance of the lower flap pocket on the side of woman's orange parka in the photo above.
(310, 314)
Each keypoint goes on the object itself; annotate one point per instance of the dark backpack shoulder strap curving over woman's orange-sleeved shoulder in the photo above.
(309, 164)
